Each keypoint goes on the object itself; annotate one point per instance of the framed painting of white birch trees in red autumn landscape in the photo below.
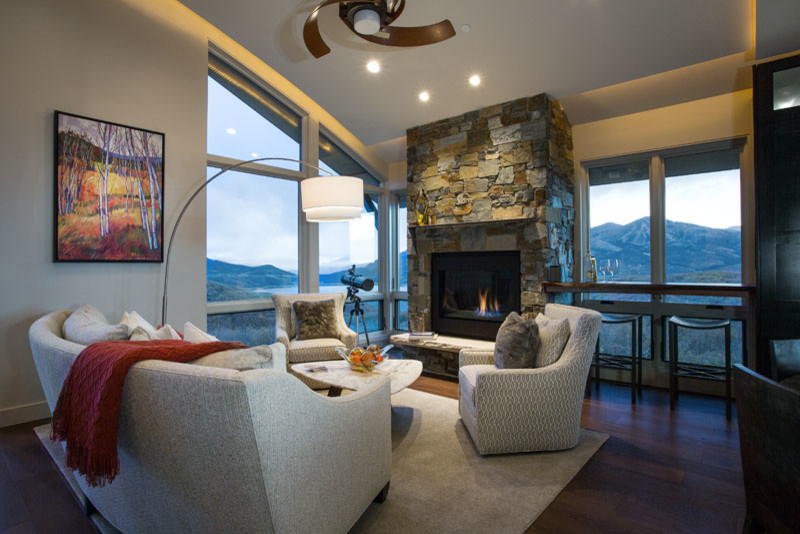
(109, 191)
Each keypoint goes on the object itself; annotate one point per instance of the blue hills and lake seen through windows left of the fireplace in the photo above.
(229, 281)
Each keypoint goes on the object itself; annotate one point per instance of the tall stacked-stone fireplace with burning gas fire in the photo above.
(498, 180)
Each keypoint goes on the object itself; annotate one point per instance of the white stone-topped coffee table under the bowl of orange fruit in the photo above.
(401, 373)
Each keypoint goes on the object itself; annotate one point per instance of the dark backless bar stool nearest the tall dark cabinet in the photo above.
(697, 370)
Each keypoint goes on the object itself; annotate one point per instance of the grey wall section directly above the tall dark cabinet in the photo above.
(777, 27)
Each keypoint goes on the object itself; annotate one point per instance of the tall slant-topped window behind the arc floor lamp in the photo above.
(258, 243)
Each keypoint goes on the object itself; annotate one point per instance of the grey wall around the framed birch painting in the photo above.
(105, 59)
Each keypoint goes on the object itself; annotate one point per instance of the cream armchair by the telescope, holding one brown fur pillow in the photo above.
(310, 350)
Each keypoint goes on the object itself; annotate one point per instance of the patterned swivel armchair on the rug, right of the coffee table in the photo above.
(525, 410)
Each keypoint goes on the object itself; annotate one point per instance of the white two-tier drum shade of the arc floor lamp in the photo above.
(332, 198)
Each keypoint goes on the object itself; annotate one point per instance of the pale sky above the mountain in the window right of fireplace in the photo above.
(709, 199)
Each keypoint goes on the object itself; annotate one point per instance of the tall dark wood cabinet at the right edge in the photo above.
(776, 107)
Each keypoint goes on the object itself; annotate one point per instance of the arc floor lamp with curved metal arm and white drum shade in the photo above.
(323, 199)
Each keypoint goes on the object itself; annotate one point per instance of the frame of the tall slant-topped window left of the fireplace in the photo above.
(308, 233)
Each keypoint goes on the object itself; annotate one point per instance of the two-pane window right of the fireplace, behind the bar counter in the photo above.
(695, 237)
